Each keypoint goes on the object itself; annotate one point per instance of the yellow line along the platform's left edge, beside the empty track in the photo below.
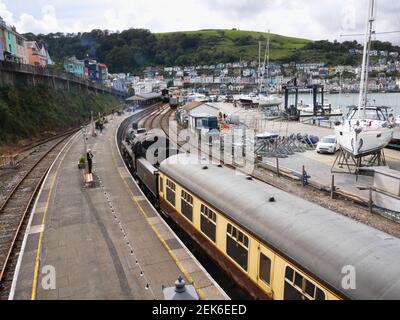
(39, 246)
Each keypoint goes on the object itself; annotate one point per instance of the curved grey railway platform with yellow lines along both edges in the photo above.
(102, 242)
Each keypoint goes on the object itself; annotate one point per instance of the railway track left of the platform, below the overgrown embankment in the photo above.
(14, 212)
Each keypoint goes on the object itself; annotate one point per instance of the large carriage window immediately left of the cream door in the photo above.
(237, 246)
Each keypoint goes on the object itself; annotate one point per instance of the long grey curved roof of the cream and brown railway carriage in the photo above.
(320, 241)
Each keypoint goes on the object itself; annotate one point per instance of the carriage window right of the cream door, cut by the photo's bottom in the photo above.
(298, 287)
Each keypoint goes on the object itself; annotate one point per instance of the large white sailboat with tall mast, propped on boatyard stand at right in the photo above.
(367, 128)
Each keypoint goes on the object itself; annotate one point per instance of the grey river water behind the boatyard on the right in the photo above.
(343, 100)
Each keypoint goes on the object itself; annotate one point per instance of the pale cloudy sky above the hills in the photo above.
(310, 19)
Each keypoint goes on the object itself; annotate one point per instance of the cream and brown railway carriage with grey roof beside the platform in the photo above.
(276, 245)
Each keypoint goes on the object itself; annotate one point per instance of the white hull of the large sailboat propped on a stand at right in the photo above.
(367, 141)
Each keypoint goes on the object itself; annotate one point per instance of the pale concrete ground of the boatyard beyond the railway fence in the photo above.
(318, 166)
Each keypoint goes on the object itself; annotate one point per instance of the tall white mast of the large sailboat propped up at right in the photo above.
(362, 103)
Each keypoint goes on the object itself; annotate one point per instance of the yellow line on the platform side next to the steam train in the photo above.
(178, 263)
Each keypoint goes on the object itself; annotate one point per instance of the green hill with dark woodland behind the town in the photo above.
(133, 49)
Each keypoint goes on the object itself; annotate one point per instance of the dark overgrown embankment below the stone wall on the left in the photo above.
(27, 112)
